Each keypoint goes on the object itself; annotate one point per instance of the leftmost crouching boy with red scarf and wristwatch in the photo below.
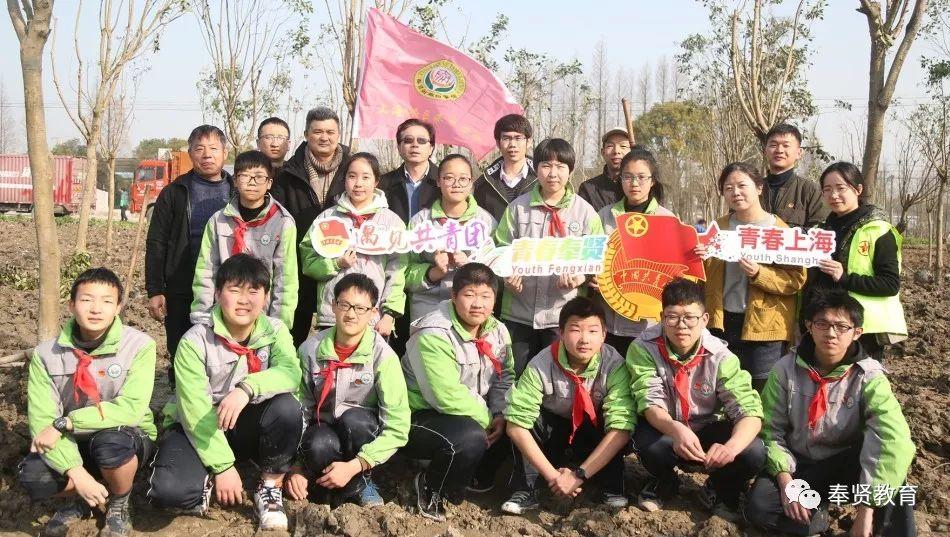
(88, 395)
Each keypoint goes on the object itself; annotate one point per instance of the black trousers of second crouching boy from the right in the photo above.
(656, 453)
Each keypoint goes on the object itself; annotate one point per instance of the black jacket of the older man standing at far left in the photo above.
(169, 267)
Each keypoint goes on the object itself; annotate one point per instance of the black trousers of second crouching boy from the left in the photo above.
(267, 433)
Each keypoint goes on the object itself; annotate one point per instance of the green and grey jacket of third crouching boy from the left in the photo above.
(374, 382)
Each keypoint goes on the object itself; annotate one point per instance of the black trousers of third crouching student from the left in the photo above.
(341, 441)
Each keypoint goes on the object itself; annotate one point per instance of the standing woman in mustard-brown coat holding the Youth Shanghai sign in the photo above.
(751, 305)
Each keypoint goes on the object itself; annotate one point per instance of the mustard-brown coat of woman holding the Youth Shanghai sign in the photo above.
(772, 297)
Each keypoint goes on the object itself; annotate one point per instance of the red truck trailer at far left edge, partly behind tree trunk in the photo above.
(16, 183)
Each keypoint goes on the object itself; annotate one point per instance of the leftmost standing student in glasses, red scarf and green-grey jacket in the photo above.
(253, 223)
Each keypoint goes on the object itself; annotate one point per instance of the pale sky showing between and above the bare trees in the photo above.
(635, 32)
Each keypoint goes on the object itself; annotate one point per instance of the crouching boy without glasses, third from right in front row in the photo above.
(575, 393)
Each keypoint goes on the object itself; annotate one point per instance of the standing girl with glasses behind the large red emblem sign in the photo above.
(642, 193)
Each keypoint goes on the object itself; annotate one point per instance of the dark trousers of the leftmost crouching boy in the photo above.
(108, 448)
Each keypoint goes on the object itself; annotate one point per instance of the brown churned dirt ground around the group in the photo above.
(919, 371)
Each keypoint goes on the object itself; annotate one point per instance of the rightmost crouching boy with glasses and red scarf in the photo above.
(832, 420)
